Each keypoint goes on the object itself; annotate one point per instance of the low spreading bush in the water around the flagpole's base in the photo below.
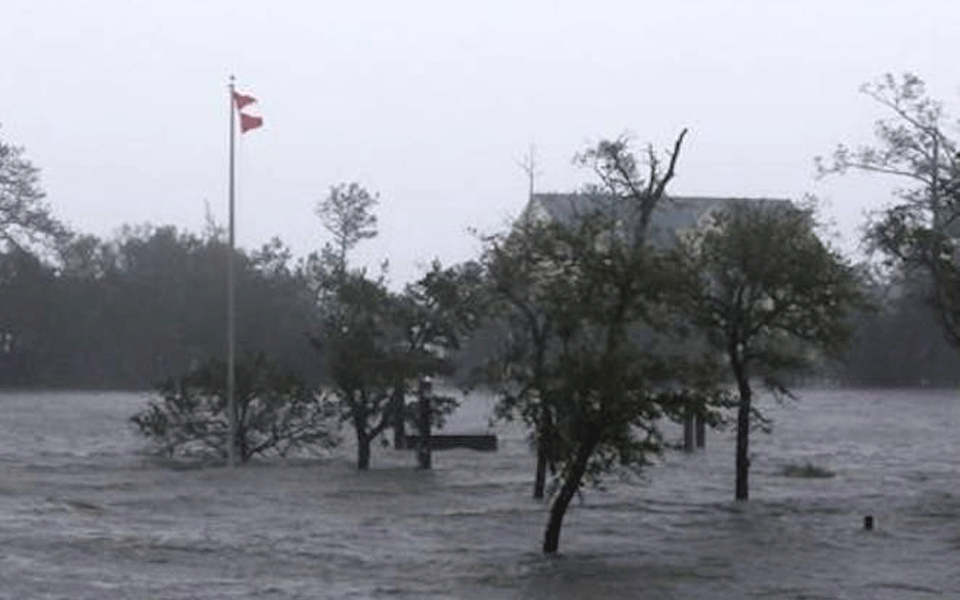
(276, 413)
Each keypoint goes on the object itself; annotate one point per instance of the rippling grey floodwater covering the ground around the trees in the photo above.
(85, 514)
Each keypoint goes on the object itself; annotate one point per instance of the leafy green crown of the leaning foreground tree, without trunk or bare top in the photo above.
(580, 311)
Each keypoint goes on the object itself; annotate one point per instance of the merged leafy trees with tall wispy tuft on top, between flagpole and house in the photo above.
(377, 344)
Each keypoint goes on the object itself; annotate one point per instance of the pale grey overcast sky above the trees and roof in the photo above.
(123, 104)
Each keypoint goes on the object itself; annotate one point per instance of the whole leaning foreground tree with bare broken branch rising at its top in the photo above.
(600, 287)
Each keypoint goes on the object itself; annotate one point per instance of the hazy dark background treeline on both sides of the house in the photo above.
(127, 312)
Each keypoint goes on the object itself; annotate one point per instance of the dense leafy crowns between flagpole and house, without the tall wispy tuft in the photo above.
(378, 344)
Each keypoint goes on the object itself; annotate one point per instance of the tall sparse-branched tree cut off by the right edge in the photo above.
(916, 143)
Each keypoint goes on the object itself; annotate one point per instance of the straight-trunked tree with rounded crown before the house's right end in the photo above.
(769, 295)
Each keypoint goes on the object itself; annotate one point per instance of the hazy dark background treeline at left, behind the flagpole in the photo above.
(149, 303)
